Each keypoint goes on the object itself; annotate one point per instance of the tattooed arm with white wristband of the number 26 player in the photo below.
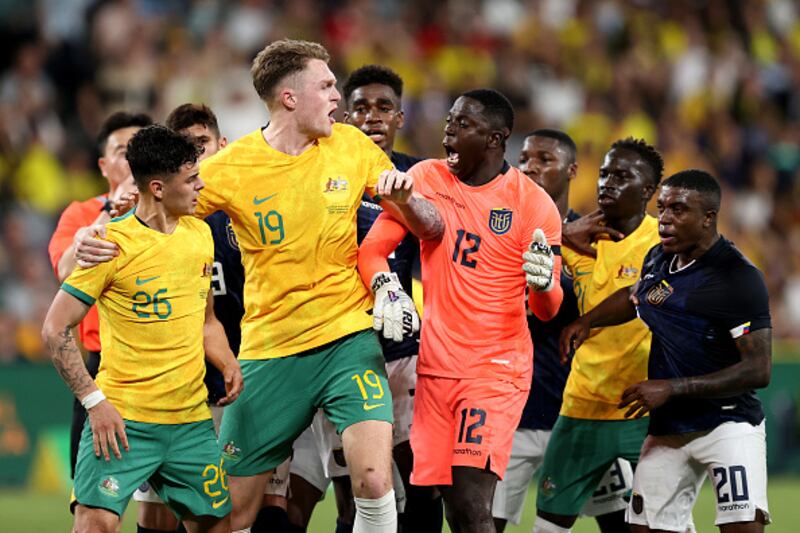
(64, 314)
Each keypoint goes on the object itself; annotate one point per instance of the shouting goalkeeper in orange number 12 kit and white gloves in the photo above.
(475, 361)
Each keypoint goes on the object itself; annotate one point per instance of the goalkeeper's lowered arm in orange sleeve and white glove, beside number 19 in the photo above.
(394, 312)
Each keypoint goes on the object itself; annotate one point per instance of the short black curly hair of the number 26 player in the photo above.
(159, 152)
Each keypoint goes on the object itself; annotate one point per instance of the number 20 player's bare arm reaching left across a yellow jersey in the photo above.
(616, 309)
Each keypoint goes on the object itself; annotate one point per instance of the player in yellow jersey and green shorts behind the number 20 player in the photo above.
(591, 432)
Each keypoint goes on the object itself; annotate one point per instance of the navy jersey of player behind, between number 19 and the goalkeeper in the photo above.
(401, 261)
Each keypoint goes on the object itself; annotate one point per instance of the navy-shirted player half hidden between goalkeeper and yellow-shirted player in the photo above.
(548, 157)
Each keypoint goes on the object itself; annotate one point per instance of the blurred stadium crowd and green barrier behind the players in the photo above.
(713, 84)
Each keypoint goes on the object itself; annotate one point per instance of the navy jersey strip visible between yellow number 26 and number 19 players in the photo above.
(227, 283)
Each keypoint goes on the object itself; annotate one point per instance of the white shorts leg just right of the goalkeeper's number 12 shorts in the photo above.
(527, 454)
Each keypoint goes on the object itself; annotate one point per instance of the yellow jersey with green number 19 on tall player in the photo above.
(295, 220)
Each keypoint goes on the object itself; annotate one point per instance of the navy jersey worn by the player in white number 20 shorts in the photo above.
(695, 315)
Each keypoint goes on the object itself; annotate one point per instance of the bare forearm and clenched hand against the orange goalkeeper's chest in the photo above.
(396, 195)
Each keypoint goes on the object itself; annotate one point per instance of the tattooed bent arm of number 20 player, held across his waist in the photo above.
(752, 372)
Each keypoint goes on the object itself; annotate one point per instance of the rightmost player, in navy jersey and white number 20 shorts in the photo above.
(708, 308)
